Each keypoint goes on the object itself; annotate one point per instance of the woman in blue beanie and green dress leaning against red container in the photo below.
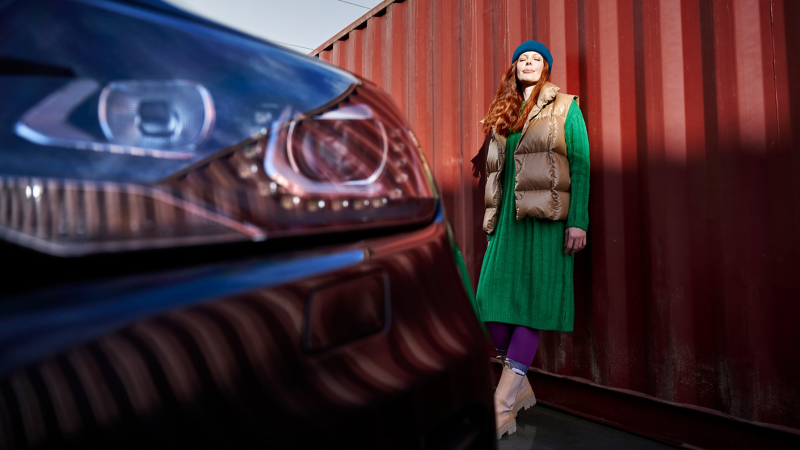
(537, 193)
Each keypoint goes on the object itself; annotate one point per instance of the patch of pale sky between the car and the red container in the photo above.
(301, 25)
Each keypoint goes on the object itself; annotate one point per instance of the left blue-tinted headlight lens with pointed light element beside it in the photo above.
(161, 119)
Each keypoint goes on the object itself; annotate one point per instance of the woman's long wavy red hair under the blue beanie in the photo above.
(504, 114)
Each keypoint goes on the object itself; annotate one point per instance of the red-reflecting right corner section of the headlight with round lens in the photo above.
(353, 166)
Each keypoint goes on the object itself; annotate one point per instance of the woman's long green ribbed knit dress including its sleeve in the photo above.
(526, 279)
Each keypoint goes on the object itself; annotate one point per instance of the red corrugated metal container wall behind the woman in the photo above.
(689, 290)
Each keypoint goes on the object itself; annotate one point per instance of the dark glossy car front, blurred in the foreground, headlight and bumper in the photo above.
(217, 243)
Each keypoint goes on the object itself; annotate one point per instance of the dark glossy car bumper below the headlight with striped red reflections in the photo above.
(273, 352)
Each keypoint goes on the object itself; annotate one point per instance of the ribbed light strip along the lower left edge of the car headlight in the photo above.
(74, 218)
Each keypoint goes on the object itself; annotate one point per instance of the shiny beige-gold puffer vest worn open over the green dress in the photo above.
(541, 174)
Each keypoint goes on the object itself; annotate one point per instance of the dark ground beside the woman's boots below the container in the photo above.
(543, 428)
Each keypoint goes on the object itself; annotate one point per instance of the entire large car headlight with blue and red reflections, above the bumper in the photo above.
(173, 132)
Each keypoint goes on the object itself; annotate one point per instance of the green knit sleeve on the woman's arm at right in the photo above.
(578, 156)
